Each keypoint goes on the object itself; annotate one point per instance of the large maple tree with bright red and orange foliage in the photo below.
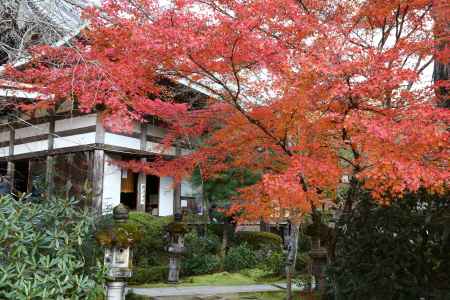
(305, 92)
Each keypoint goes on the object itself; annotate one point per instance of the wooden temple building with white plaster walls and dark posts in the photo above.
(70, 154)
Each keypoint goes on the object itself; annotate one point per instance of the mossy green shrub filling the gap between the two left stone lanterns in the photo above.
(151, 249)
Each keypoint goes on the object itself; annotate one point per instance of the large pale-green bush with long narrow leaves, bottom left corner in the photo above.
(41, 251)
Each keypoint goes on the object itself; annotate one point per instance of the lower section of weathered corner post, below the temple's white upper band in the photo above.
(97, 180)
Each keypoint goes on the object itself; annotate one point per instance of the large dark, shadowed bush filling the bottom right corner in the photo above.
(400, 251)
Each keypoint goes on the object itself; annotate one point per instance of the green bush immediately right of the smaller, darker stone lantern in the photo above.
(201, 254)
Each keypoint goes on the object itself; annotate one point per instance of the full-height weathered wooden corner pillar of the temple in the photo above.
(98, 166)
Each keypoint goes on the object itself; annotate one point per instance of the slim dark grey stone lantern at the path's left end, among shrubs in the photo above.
(176, 229)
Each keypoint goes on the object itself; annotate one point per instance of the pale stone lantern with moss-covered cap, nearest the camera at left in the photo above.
(117, 239)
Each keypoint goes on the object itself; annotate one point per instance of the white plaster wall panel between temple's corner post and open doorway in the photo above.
(112, 180)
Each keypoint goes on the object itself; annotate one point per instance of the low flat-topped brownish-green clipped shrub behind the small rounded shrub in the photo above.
(260, 240)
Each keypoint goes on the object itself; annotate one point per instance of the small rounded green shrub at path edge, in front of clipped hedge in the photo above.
(239, 258)
